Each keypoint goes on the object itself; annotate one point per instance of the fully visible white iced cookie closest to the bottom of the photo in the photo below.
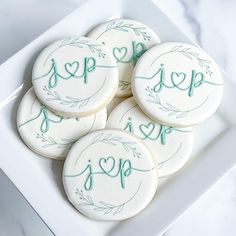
(110, 175)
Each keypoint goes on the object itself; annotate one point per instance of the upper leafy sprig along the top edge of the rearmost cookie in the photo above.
(125, 27)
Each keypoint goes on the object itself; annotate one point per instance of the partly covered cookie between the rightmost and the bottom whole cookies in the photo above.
(171, 147)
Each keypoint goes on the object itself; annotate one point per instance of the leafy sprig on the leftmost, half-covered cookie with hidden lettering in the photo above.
(50, 141)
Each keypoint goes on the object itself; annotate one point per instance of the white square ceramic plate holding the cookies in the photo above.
(39, 179)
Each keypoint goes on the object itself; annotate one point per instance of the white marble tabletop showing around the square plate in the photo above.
(211, 23)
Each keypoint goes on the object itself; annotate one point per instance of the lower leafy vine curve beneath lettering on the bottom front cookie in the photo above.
(106, 208)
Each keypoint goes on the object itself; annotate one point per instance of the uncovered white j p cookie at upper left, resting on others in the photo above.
(75, 76)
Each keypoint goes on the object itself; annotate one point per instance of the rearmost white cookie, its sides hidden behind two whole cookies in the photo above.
(127, 40)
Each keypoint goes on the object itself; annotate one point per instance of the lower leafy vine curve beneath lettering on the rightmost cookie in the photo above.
(168, 108)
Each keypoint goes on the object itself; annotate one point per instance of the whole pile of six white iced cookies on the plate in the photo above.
(118, 106)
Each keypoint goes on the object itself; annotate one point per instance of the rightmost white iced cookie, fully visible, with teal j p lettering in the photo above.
(177, 84)
